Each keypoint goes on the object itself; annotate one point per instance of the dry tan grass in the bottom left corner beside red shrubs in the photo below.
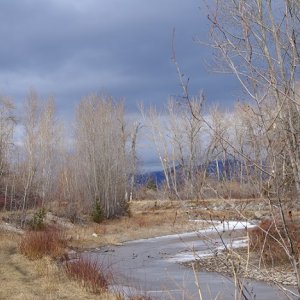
(21, 278)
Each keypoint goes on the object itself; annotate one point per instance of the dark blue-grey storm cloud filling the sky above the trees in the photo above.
(70, 48)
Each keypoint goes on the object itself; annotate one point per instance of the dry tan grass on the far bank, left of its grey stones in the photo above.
(147, 221)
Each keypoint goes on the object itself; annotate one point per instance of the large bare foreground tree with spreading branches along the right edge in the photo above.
(259, 42)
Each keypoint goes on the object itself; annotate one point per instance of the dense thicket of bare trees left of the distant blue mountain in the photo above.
(38, 169)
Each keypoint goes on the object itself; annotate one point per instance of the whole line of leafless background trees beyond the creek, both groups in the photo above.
(39, 168)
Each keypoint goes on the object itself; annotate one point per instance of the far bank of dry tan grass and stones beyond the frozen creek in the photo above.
(152, 218)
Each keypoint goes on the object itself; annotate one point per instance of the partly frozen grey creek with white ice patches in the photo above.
(151, 267)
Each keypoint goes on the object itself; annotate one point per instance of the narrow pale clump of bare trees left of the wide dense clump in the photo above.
(38, 159)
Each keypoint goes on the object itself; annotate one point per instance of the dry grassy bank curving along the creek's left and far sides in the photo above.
(34, 276)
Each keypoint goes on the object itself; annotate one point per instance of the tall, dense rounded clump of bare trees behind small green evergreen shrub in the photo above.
(101, 140)
